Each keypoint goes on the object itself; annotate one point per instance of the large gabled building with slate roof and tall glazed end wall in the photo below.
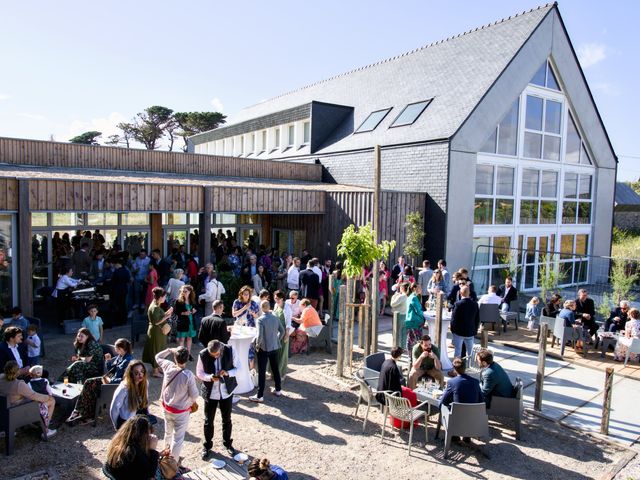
(497, 126)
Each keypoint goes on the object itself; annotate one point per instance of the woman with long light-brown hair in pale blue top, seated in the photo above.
(131, 397)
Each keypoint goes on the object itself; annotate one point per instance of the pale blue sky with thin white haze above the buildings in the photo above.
(74, 66)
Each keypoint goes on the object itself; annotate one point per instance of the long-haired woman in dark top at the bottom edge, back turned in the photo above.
(132, 451)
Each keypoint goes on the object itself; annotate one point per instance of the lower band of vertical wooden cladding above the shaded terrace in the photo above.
(82, 196)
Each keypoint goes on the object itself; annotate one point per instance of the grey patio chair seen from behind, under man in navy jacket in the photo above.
(464, 420)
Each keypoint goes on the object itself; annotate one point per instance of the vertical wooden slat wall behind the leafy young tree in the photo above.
(345, 208)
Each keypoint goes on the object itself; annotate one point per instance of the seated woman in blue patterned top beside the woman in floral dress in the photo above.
(86, 405)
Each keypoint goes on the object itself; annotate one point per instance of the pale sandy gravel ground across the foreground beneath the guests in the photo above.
(311, 433)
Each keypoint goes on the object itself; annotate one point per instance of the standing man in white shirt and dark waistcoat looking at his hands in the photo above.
(217, 367)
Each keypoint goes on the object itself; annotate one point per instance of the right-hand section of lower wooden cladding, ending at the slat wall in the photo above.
(252, 199)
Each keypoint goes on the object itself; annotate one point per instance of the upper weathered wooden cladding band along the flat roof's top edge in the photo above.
(68, 155)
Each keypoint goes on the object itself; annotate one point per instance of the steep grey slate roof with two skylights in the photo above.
(455, 72)
